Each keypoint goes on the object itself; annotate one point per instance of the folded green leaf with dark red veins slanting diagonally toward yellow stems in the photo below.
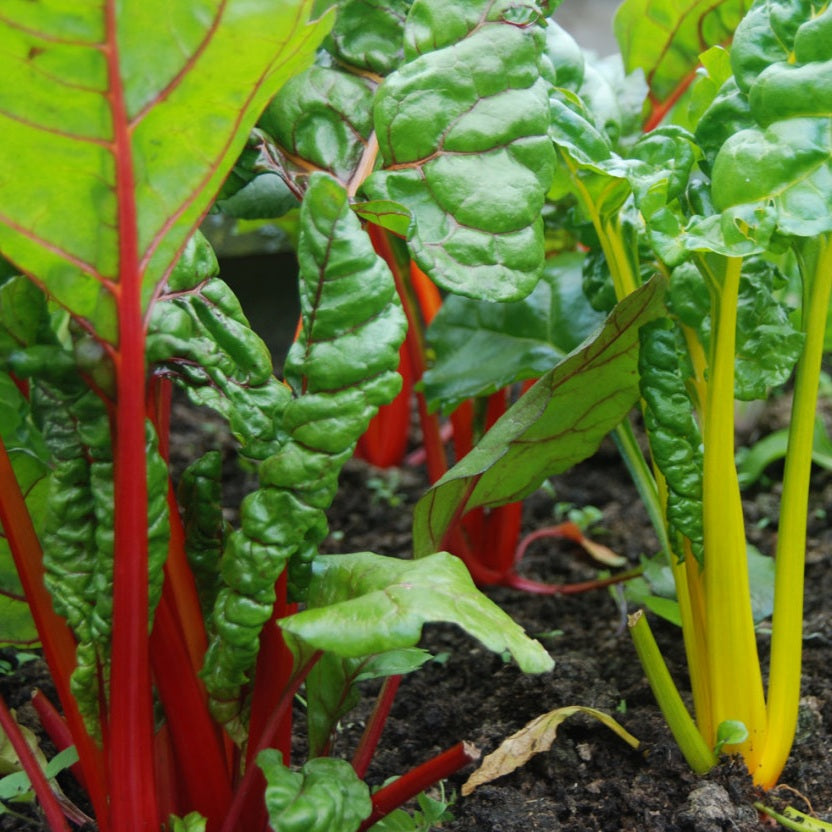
(558, 422)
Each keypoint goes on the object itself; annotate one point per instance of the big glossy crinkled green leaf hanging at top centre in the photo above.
(462, 134)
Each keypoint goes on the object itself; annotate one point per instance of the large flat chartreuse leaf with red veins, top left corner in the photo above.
(120, 125)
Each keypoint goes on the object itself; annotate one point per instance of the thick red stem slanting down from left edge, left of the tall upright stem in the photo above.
(57, 640)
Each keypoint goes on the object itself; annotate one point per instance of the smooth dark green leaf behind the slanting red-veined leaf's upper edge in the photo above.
(481, 347)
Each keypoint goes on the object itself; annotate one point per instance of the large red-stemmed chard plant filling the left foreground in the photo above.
(176, 643)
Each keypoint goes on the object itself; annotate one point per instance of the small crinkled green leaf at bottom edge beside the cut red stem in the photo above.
(326, 795)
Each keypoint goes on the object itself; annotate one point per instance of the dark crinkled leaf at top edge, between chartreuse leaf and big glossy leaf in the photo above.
(368, 34)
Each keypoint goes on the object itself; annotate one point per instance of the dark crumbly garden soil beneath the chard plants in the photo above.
(590, 780)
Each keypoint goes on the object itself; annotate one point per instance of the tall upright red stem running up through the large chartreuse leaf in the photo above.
(133, 803)
